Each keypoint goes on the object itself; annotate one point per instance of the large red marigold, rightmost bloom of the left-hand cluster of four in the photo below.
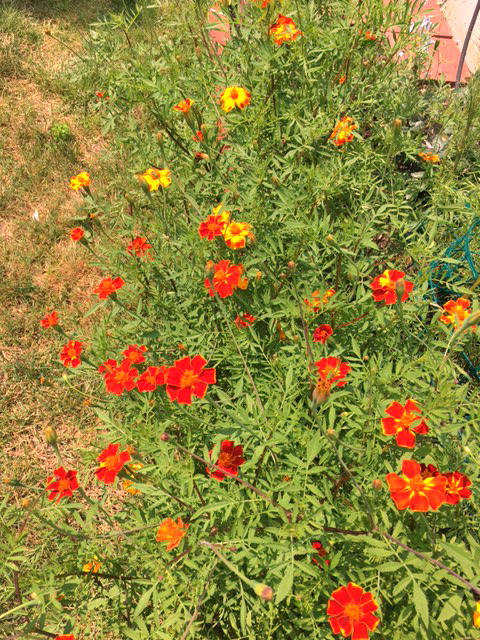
(188, 377)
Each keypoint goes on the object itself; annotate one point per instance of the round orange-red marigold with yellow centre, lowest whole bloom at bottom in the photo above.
(350, 612)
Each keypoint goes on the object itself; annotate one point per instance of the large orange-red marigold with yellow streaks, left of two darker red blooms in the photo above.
(414, 491)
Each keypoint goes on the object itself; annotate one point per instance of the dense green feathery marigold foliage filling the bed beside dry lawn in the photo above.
(323, 217)
